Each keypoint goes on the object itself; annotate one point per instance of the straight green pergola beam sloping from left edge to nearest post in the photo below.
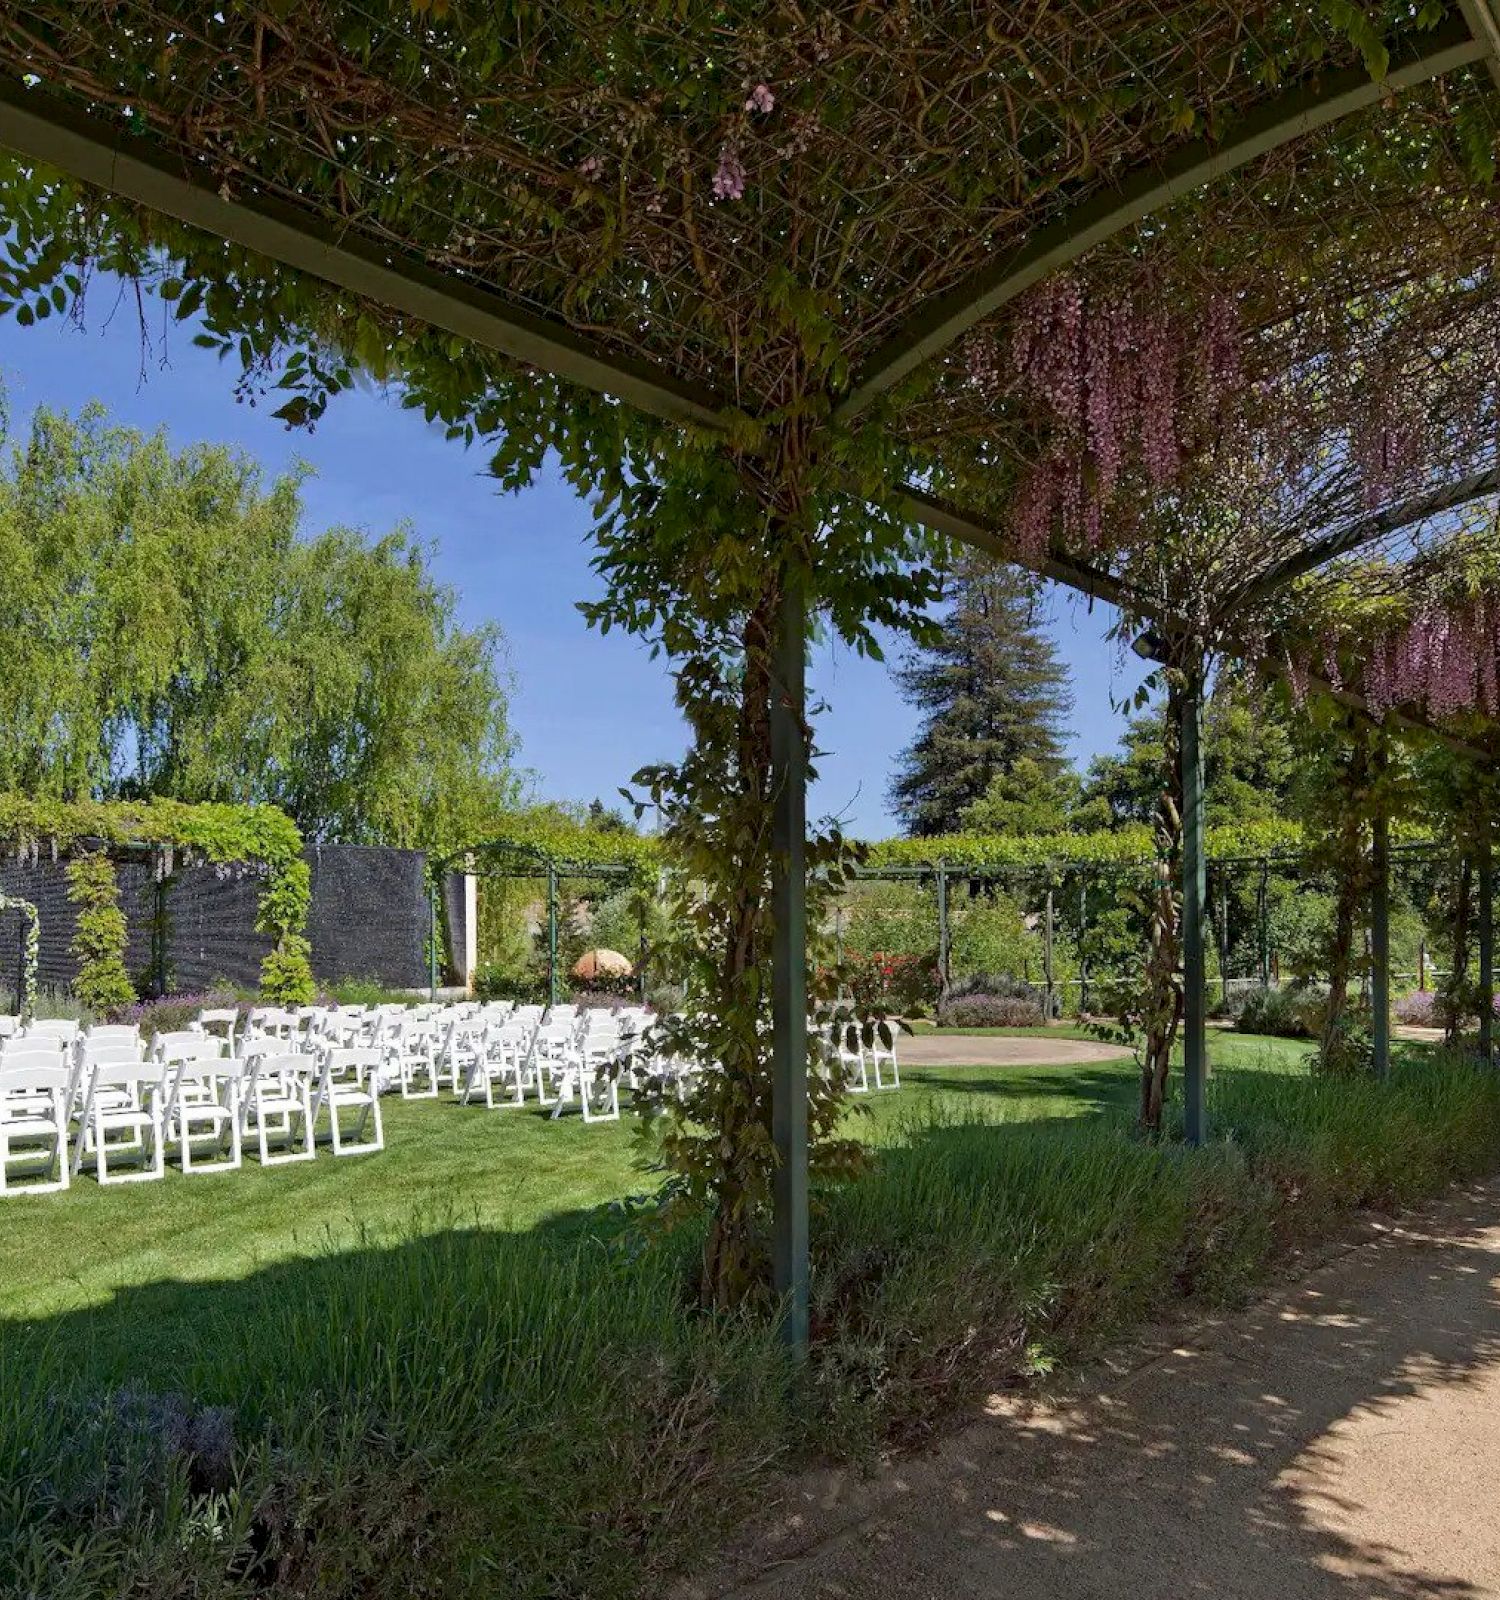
(41, 127)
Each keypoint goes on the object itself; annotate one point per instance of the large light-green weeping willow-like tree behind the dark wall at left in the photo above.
(169, 633)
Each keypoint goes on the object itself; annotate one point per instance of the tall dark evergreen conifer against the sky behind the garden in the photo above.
(992, 694)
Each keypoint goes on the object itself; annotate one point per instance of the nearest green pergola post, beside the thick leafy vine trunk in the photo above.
(789, 964)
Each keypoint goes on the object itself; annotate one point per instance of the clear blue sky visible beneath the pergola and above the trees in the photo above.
(589, 710)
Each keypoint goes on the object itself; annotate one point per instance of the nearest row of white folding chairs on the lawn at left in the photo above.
(106, 1100)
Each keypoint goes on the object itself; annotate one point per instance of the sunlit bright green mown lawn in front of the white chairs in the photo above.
(460, 1167)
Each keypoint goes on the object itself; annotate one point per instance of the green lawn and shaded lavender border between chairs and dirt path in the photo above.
(444, 1374)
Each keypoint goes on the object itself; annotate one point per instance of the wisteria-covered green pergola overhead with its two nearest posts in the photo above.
(868, 226)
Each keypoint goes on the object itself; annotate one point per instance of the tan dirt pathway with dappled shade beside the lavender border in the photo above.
(1341, 1441)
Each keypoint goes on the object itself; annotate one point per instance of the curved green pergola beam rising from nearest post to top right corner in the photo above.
(1288, 118)
